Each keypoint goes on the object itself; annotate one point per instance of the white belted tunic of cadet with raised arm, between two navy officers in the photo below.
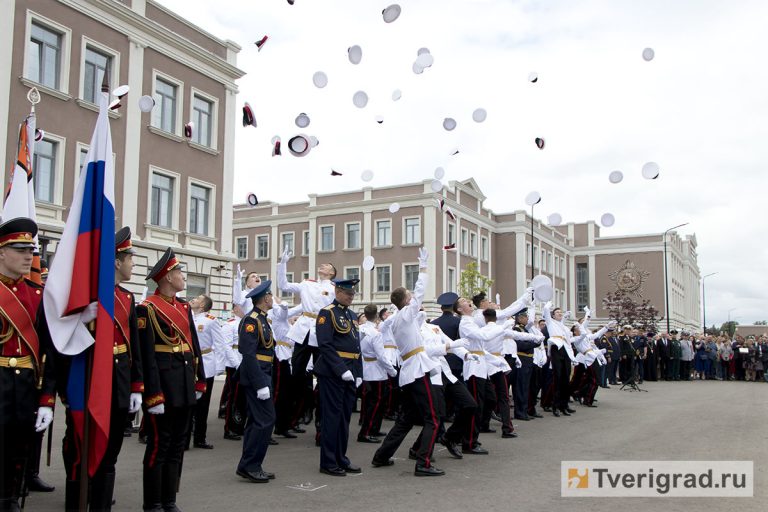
(314, 296)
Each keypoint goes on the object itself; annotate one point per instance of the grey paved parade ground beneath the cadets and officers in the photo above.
(673, 421)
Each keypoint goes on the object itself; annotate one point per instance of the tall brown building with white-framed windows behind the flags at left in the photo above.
(172, 191)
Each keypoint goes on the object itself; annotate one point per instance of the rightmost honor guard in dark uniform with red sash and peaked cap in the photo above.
(173, 381)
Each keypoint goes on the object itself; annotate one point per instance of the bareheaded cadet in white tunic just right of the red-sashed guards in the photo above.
(211, 340)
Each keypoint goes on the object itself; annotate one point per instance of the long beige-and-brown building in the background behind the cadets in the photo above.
(346, 227)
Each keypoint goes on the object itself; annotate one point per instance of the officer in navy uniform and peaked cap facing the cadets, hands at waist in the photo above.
(339, 372)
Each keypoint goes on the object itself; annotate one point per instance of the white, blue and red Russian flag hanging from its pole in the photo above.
(83, 272)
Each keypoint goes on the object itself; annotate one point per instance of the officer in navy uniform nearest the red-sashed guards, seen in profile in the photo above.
(257, 345)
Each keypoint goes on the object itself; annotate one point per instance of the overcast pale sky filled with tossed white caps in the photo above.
(699, 109)
